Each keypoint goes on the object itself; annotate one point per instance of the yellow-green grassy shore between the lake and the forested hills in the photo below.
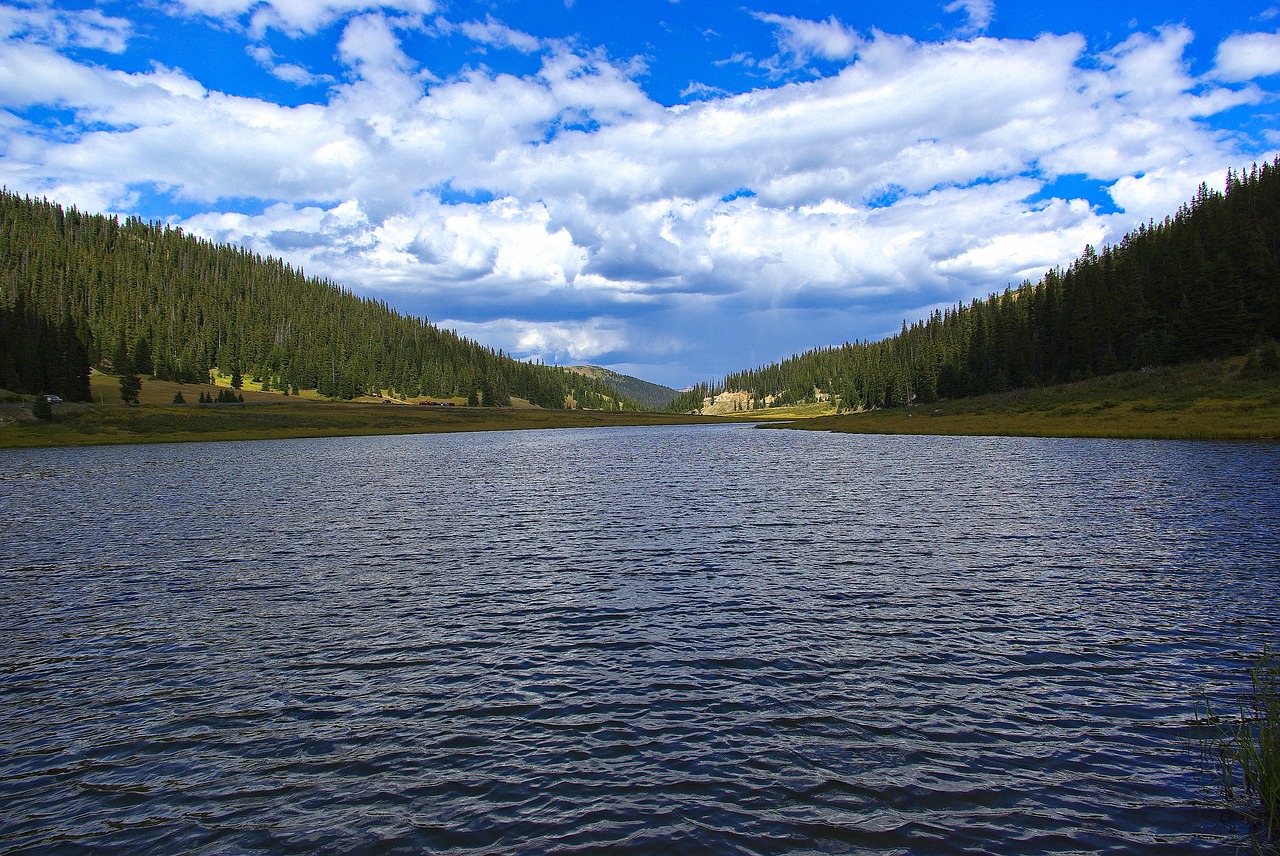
(1213, 401)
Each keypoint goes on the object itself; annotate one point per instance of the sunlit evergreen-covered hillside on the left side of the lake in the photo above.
(83, 290)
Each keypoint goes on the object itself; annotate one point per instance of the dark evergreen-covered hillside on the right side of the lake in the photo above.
(1203, 285)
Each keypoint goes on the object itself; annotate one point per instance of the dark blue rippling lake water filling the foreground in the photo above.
(656, 640)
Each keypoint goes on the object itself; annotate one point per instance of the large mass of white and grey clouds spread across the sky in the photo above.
(566, 216)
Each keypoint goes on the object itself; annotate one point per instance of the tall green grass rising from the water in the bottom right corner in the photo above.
(1246, 750)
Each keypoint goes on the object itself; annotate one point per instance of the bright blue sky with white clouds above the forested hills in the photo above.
(671, 190)
